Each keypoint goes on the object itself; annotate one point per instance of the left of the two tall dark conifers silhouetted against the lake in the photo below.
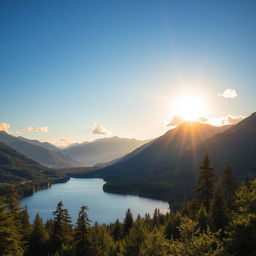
(61, 236)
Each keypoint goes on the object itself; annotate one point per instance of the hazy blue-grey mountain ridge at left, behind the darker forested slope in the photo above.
(38, 151)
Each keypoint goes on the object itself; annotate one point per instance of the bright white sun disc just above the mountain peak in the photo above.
(190, 107)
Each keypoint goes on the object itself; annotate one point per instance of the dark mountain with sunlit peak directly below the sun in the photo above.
(157, 169)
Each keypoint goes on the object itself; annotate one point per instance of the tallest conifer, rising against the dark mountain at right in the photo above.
(206, 182)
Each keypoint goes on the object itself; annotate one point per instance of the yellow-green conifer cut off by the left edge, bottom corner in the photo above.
(10, 239)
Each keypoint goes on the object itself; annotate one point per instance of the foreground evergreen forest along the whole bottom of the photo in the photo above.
(220, 220)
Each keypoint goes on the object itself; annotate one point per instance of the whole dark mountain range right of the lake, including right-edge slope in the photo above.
(167, 167)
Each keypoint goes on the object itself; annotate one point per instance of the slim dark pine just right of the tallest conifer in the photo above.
(229, 188)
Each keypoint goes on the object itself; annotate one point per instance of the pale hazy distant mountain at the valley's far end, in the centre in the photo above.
(102, 150)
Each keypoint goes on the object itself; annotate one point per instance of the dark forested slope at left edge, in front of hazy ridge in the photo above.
(16, 168)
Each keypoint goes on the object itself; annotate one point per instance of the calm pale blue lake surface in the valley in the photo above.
(103, 207)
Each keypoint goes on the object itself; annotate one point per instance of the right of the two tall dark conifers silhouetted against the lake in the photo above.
(82, 241)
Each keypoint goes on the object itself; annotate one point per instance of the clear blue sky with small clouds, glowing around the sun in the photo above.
(81, 70)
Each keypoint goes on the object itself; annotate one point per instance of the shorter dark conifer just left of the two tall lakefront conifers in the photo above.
(38, 238)
